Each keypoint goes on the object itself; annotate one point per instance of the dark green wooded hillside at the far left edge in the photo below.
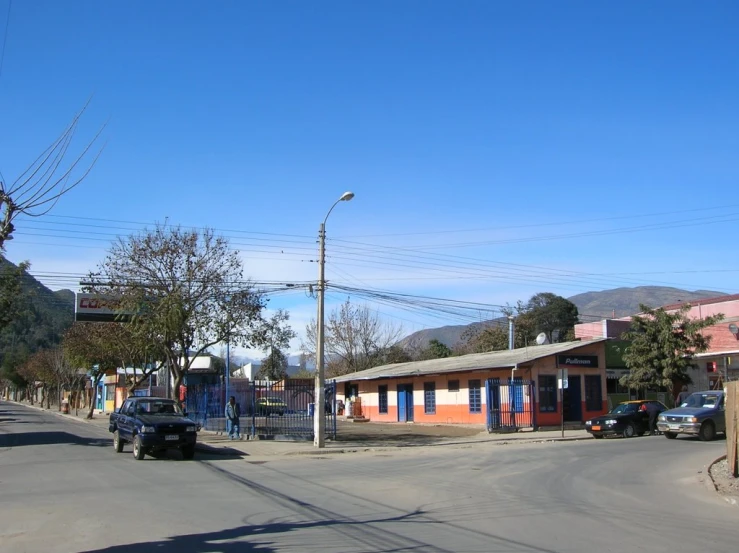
(44, 317)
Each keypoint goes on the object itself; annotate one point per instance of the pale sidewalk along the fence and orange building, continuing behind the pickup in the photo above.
(216, 443)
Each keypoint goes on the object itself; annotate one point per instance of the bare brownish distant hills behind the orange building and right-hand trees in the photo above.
(591, 305)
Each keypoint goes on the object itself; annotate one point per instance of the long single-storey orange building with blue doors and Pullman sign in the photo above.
(475, 388)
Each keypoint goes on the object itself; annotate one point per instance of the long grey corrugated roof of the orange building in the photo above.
(505, 359)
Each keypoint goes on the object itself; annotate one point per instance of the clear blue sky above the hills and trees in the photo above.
(590, 145)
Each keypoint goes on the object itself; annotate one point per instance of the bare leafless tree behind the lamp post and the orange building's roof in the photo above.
(355, 339)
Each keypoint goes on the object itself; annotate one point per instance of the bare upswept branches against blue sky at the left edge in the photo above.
(38, 188)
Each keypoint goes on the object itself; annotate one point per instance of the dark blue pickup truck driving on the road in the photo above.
(153, 424)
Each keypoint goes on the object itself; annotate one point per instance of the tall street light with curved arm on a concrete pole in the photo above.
(319, 411)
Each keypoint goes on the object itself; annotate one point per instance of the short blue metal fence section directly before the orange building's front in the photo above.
(510, 405)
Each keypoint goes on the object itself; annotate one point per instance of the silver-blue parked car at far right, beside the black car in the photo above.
(702, 415)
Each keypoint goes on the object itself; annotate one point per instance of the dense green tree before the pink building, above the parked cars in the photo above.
(661, 346)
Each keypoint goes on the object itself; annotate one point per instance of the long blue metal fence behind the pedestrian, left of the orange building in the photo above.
(268, 409)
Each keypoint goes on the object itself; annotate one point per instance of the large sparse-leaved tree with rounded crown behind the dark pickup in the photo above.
(186, 291)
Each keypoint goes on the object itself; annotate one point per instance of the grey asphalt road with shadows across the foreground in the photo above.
(63, 489)
